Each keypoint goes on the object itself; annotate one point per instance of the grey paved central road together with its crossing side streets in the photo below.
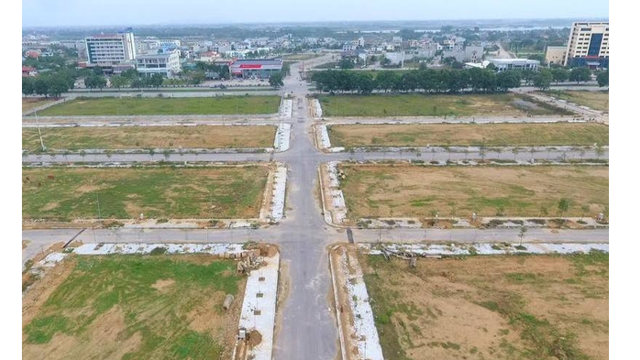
(308, 326)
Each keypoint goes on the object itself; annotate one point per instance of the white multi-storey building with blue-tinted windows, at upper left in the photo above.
(112, 49)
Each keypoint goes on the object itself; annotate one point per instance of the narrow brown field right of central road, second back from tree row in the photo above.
(469, 134)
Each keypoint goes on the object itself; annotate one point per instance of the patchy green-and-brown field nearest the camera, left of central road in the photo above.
(132, 307)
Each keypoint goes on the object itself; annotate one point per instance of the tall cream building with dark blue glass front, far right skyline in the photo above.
(589, 42)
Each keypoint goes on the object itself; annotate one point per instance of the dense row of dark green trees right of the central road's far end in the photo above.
(446, 80)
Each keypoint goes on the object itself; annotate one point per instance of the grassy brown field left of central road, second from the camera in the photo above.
(160, 193)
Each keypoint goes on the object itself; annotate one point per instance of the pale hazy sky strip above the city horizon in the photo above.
(142, 12)
